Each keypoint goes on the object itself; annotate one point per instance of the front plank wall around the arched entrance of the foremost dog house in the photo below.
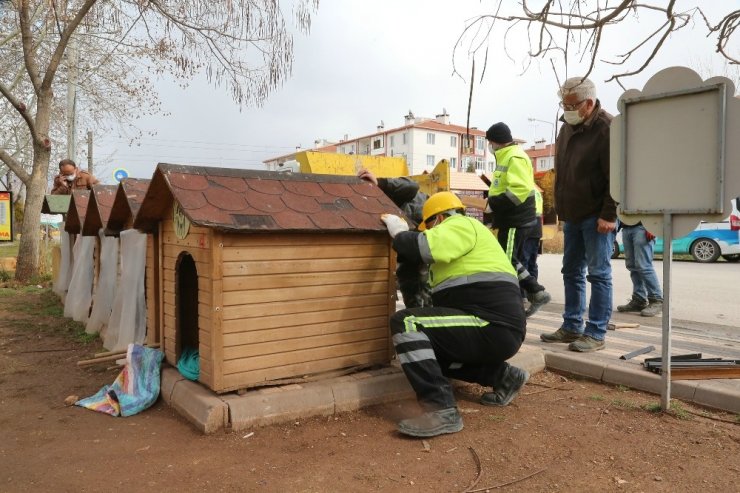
(198, 244)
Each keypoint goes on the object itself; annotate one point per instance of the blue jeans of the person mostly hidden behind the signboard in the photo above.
(638, 257)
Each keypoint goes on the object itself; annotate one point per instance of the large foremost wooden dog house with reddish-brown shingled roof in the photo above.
(271, 275)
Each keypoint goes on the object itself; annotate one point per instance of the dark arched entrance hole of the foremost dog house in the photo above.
(186, 301)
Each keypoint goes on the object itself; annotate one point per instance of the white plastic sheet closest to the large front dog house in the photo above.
(127, 322)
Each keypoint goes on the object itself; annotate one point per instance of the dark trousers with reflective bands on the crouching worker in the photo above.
(435, 343)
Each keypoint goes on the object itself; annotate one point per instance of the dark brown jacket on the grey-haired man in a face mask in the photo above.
(582, 169)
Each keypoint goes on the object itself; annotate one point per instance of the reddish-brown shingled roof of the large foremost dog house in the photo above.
(238, 200)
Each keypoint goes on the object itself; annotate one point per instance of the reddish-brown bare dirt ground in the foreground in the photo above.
(560, 434)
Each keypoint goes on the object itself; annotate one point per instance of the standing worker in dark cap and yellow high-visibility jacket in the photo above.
(511, 200)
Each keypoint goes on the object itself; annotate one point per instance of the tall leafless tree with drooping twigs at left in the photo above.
(123, 45)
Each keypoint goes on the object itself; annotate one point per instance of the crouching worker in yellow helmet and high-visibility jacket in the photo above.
(476, 322)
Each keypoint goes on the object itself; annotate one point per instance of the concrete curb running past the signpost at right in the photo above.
(702, 392)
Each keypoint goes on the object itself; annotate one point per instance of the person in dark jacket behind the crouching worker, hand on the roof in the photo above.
(413, 278)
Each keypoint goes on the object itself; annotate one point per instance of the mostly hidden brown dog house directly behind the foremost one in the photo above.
(126, 203)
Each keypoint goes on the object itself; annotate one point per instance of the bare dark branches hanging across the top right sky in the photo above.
(565, 31)
